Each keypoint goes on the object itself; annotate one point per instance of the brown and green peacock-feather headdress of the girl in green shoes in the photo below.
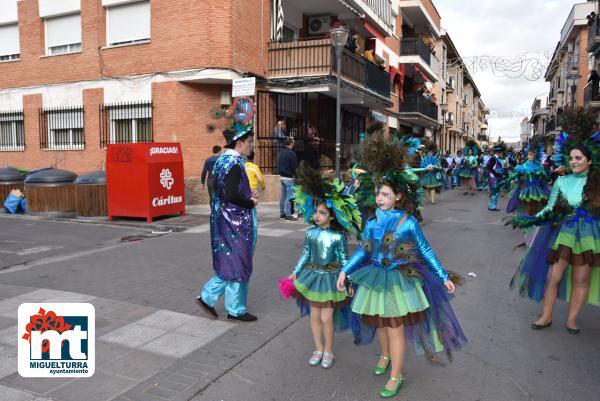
(385, 162)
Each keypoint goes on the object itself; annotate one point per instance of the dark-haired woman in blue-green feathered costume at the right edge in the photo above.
(564, 257)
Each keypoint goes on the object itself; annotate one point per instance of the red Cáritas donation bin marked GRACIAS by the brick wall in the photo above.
(144, 180)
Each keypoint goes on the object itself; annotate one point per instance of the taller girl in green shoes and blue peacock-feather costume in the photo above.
(401, 287)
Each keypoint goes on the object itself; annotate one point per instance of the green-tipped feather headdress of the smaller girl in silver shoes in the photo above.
(312, 188)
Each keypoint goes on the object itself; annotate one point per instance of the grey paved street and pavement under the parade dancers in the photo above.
(153, 342)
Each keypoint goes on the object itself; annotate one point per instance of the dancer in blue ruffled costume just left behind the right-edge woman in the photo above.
(530, 182)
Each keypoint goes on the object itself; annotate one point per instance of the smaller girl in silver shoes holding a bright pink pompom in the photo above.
(334, 215)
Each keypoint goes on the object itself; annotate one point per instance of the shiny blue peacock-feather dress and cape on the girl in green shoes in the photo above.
(399, 281)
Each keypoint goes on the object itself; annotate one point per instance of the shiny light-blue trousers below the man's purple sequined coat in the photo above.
(236, 294)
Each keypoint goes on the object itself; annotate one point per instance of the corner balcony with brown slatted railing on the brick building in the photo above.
(313, 58)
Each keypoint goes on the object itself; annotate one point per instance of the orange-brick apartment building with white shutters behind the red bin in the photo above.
(76, 75)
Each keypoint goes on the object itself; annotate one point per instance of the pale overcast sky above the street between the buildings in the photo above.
(510, 29)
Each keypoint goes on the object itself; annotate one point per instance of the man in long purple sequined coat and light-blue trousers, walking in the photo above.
(233, 223)
